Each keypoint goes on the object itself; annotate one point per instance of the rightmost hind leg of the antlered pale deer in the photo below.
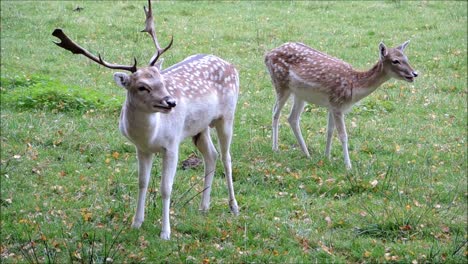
(224, 130)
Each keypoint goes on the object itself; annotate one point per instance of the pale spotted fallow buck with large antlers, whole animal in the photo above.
(163, 107)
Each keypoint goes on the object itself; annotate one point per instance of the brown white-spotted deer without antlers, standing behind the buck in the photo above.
(314, 77)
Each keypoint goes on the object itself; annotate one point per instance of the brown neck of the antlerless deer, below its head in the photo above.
(368, 81)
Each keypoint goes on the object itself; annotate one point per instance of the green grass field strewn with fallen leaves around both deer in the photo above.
(69, 180)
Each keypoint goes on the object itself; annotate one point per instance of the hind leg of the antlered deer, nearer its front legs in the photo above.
(205, 146)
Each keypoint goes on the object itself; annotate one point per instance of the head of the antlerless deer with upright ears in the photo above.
(396, 63)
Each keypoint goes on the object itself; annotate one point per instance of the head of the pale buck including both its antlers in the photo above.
(146, 87)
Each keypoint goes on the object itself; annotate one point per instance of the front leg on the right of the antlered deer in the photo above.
(170, 158)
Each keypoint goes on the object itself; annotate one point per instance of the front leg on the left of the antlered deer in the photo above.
(145, 161)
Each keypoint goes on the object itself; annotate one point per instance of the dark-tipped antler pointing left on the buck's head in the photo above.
(70, 45)
